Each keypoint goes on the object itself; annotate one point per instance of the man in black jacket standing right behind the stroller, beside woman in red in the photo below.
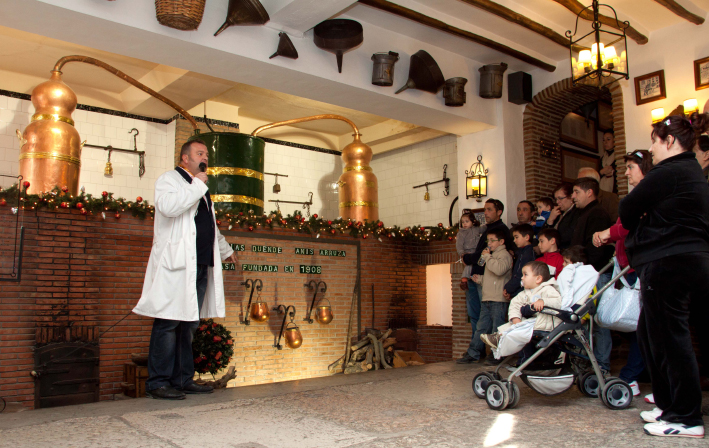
(593, 218)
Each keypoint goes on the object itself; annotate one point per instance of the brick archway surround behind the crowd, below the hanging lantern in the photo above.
(542, 120)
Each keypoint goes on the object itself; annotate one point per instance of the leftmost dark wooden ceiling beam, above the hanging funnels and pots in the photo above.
(410, 14)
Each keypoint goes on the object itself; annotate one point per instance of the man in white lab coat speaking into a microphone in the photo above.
(183, 281)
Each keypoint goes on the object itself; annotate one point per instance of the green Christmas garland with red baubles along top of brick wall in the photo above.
(314, 225)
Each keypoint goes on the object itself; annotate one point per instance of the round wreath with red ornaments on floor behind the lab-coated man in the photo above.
(212, 347)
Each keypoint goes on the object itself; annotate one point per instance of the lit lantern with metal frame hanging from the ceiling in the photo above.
(602, 53)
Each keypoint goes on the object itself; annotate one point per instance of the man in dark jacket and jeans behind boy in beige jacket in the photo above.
(473, 296)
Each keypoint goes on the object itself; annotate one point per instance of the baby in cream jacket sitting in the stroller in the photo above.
(539, 291)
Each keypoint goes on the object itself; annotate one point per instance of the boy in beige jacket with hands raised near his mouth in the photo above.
(498, 267)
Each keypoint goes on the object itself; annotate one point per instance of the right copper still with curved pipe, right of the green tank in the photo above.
(358, 187)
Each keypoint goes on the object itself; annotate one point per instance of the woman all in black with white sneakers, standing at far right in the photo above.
(668, 245)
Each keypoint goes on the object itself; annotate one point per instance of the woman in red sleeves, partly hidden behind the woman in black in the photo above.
(637, 165)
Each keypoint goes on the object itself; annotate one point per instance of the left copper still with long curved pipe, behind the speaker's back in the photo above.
(50, 153)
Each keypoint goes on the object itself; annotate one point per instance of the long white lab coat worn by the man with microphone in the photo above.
(169, 289)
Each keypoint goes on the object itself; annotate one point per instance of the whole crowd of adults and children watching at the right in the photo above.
(660, 230)
